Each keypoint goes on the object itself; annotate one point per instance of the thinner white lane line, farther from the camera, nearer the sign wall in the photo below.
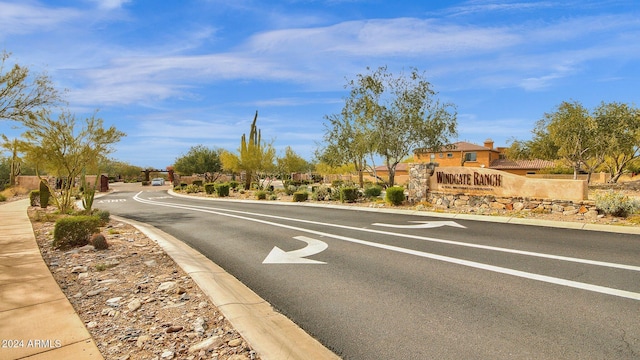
(435, 240)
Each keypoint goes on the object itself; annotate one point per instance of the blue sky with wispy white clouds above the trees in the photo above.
(174, 74)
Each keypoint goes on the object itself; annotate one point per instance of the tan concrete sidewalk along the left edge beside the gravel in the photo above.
(38, 322)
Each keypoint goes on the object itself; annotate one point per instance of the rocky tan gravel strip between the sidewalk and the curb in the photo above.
(135, 301)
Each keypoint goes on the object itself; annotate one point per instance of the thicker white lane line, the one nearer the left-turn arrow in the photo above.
(472, 264)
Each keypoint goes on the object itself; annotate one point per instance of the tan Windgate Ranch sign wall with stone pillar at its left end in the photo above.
(486, 182)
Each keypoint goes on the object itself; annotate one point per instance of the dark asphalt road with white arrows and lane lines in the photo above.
(372, 285)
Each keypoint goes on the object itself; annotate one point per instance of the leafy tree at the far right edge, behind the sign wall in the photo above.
(620, 136)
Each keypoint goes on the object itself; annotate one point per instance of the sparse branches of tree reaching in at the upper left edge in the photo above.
(21, 95)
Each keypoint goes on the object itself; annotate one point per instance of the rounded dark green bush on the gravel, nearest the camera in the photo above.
(74, 231)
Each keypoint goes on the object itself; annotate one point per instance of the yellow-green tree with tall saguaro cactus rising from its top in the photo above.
(256, 156)
